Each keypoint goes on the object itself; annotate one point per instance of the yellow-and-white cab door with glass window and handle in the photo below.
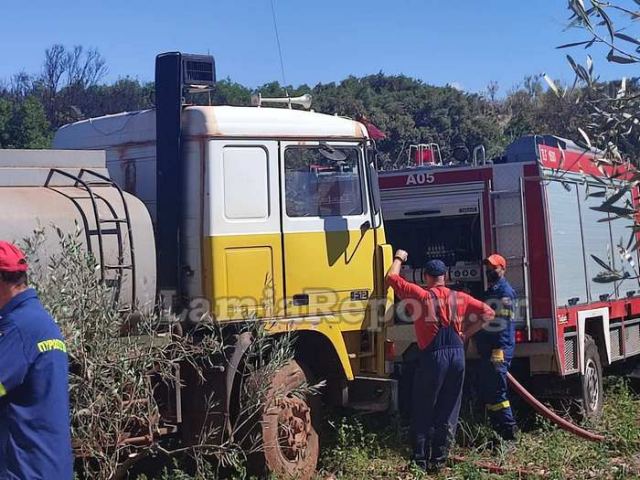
(327, 232)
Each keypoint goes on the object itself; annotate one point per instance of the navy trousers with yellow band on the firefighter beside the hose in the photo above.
(494, 388)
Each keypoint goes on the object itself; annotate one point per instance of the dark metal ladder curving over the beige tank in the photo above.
(101, 230)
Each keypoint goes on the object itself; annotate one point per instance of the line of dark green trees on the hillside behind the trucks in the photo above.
(408, 110)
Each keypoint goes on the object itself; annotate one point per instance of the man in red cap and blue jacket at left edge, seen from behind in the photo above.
(35, 437)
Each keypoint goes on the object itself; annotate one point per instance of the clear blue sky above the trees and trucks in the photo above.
(466, 43)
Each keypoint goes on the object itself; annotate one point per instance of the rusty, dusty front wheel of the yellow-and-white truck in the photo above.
(291, 444)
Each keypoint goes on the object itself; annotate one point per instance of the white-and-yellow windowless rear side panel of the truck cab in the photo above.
(243, 244)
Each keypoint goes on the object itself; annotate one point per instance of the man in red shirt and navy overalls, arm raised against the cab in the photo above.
(442, 319)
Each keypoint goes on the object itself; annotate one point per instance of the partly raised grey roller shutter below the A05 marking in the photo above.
(432, 206)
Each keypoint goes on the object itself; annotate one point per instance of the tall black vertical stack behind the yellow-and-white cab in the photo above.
(177, 74)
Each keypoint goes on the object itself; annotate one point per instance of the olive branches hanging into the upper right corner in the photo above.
(613, 125)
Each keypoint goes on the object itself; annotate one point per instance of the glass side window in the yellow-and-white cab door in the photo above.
(323, 181)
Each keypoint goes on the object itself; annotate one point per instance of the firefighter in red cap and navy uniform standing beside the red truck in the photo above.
(496, 343)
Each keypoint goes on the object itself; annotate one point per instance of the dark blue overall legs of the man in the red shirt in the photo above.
(437, 393)
